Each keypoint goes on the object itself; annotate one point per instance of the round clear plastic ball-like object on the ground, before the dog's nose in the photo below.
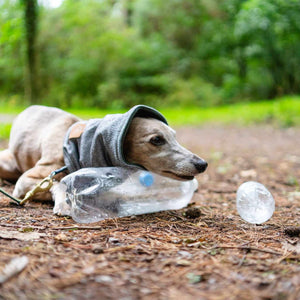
(254, 202)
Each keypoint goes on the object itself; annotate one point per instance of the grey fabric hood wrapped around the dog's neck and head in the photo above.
(99, 142)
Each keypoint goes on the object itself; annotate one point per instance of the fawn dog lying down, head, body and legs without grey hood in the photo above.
(36, 149)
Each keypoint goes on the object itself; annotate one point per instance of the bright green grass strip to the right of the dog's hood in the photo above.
(284, 112)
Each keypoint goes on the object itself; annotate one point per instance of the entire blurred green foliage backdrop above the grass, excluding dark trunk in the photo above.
(115, 54)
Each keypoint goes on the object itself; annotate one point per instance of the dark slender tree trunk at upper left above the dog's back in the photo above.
(30, 16)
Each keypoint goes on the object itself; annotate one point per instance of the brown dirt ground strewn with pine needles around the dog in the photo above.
(205, 251)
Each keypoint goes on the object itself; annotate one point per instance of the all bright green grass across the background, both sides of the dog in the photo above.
(283, 112)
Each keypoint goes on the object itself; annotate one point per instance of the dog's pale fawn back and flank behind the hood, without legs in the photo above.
(39, 132)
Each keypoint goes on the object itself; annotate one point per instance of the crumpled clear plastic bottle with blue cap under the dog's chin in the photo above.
(95, 194)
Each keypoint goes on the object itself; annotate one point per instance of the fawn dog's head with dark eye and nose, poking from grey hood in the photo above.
(153, 145)
